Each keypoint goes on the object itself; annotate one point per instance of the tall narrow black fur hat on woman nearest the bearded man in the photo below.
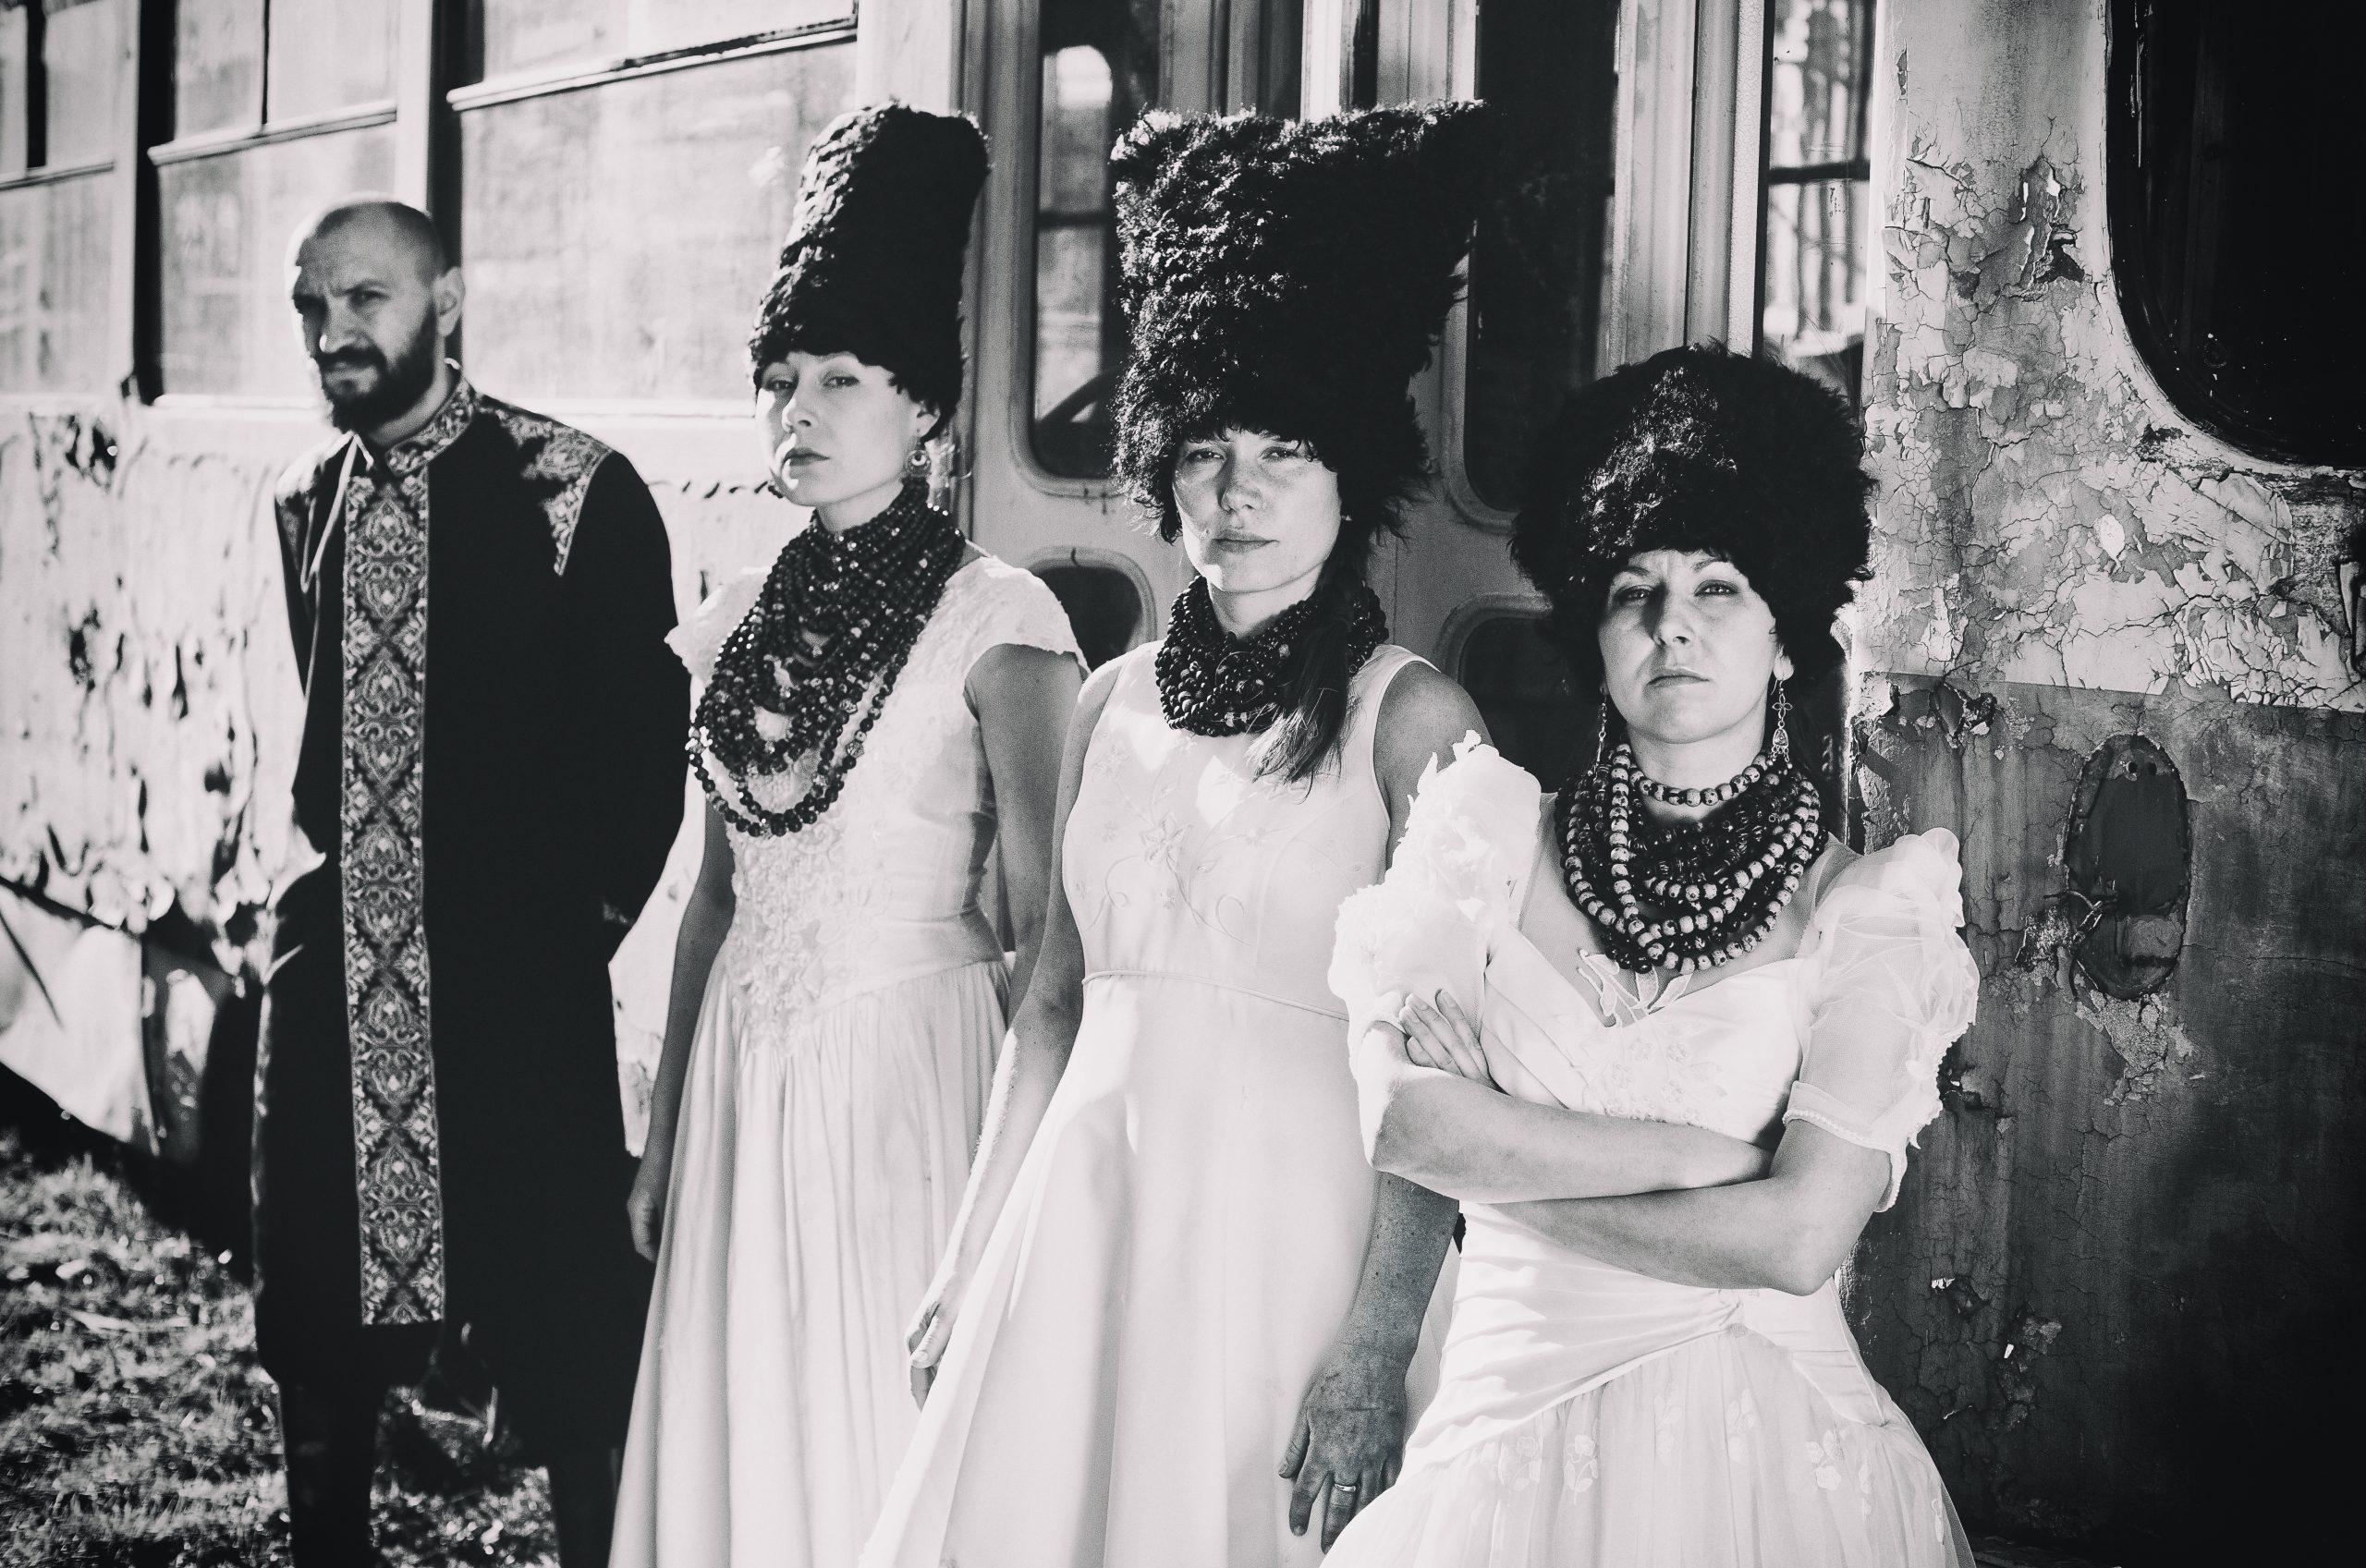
(874, 252)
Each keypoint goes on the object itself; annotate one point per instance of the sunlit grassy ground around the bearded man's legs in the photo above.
(136, 1425)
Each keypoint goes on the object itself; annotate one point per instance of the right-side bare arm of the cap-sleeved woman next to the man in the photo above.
(1023, 701)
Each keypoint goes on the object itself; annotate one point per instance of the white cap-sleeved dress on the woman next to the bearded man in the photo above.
(836, 1087)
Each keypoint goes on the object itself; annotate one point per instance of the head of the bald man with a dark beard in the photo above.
(375, 318)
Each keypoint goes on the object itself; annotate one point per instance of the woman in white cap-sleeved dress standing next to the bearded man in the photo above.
(877, 711)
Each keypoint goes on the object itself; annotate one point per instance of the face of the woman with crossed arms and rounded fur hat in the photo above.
(1688, 649)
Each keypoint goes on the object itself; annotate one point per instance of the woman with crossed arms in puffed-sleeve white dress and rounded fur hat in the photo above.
(1546, 987)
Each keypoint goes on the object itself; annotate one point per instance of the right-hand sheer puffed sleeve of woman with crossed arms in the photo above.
(1892, 992)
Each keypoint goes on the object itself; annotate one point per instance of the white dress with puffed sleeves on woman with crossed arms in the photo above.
(1586, 1413)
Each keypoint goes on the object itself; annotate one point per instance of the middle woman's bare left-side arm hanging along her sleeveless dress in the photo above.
(1035, 1056)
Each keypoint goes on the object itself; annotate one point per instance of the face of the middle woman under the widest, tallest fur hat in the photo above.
(1260, 512)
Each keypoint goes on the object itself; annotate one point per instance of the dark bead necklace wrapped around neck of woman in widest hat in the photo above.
(1217, 685)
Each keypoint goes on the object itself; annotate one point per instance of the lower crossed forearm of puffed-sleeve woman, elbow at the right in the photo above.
(1788, 1231)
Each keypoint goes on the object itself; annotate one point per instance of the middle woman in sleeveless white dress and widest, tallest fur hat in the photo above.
(1182, 1314)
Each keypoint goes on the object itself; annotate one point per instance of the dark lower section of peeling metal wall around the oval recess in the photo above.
(2133, 1240)
